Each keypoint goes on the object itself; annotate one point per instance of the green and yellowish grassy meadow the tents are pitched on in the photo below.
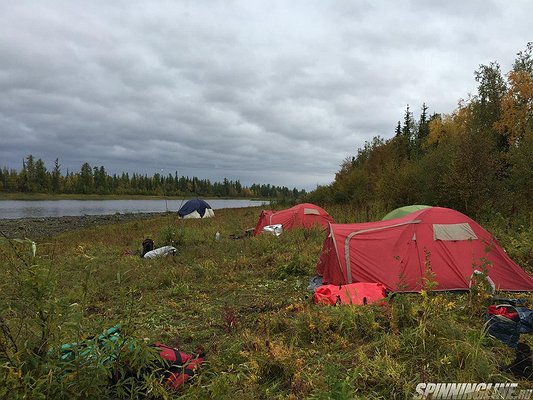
(243, 301)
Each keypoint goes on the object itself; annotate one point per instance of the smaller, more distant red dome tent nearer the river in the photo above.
(304, 215)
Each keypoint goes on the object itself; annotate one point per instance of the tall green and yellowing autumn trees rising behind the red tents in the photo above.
(478, 159)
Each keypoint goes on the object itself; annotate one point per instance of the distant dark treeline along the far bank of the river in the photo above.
(34, 177)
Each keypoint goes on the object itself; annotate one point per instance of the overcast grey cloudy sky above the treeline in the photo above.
(275, 92)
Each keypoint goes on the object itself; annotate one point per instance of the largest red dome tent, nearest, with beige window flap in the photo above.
(394, 252)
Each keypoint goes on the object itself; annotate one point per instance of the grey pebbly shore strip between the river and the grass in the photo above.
(38, 228)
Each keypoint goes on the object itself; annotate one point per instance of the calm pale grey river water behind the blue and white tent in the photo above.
(10, 209)
